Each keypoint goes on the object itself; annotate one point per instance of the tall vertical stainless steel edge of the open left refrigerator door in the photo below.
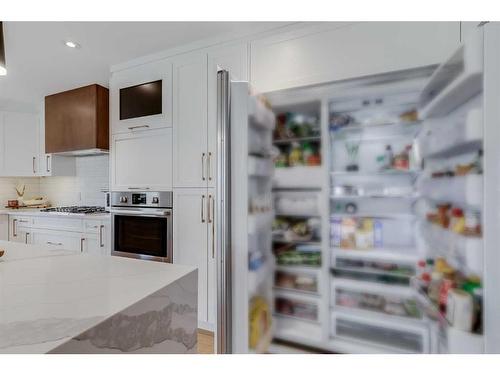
(223, 193)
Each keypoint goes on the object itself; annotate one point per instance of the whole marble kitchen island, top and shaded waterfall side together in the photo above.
(57, 301)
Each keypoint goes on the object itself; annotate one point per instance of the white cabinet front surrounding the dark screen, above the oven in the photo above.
(136, 85)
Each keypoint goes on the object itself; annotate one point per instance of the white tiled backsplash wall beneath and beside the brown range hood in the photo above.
(84, 189)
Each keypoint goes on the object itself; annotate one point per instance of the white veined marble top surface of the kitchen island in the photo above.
(48, 297)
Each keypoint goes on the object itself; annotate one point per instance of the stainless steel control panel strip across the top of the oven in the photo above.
(160, 199)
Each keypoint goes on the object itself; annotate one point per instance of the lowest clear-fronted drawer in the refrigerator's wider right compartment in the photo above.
(396, 338)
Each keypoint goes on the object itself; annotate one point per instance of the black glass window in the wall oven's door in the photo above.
(141, 235)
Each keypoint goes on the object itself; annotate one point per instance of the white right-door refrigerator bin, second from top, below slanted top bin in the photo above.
(443, 138)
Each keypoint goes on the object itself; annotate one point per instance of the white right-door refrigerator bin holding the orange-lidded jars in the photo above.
(462, 252)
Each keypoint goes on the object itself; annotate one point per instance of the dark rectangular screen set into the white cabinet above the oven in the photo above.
(141, 100)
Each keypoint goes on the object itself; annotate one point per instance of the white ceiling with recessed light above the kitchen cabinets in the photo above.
(38, 62)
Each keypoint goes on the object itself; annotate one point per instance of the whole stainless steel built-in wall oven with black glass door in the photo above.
(141, 225)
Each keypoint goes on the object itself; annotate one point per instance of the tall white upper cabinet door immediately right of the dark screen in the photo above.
(191, 159)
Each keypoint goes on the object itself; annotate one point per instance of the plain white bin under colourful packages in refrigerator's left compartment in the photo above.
(298, 177)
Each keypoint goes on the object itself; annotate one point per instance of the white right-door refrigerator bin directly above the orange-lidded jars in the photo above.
(461, 190)
